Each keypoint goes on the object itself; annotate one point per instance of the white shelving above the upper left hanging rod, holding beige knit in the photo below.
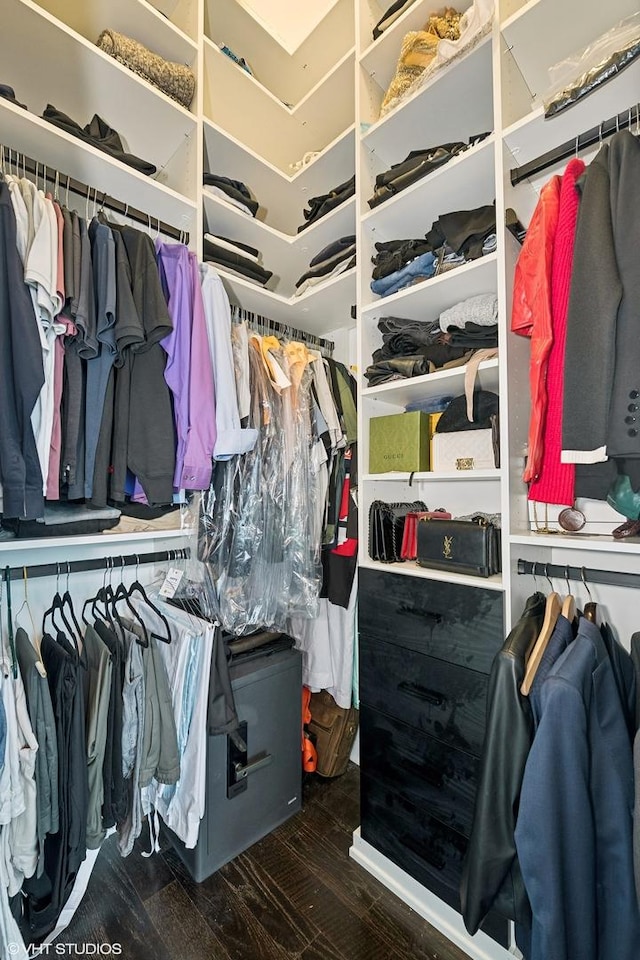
(79, 79)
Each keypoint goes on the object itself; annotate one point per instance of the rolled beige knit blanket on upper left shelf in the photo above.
(174, 79)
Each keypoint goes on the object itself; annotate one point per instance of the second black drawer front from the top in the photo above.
(441, 699)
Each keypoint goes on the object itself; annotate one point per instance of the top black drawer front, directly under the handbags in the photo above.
(463, 625)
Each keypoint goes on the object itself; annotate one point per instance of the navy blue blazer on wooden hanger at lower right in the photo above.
(574, 829)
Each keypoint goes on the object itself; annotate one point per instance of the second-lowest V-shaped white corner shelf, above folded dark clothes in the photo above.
(286, 255)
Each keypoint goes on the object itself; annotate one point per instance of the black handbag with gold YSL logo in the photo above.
(461, 546)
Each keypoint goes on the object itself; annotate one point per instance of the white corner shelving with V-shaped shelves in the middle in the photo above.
(299, 101)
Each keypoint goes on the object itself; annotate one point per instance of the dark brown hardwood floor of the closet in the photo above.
(296, 895)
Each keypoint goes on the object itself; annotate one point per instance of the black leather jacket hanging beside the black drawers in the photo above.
(491, 877)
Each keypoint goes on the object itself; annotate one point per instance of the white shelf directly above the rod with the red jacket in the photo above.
(532, 136)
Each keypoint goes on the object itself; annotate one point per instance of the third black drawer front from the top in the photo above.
(435, 777)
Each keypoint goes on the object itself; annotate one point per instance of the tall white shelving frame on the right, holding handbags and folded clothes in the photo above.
(492, 87)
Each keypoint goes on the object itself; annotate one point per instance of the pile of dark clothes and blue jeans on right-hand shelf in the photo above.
(454, 239)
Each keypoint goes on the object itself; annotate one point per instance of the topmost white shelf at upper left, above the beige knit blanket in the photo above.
(134, 18)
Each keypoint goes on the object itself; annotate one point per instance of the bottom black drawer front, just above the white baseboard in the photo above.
(419, 844)
